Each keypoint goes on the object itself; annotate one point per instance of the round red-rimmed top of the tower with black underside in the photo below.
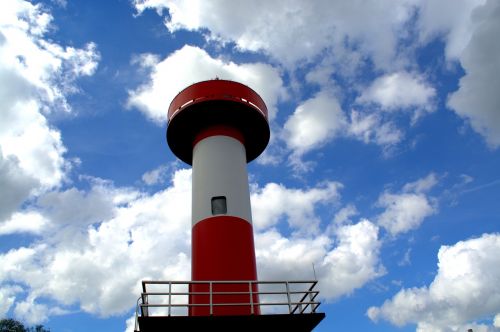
(215, 103)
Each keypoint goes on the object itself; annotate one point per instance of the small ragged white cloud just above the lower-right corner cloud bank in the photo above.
(407, 210)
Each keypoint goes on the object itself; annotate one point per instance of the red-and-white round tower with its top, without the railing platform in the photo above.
(219, 126)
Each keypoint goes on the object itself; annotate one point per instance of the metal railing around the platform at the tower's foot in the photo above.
(174, 298)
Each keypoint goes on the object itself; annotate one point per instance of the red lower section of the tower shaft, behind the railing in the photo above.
(223, 249)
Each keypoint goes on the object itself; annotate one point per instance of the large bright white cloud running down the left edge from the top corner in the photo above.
(35, 76)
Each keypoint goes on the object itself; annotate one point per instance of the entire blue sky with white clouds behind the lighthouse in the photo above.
(382, 170)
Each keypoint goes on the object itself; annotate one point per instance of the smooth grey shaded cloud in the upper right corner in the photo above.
(470, 29)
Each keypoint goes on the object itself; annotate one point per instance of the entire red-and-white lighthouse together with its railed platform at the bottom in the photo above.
(219, 126)
